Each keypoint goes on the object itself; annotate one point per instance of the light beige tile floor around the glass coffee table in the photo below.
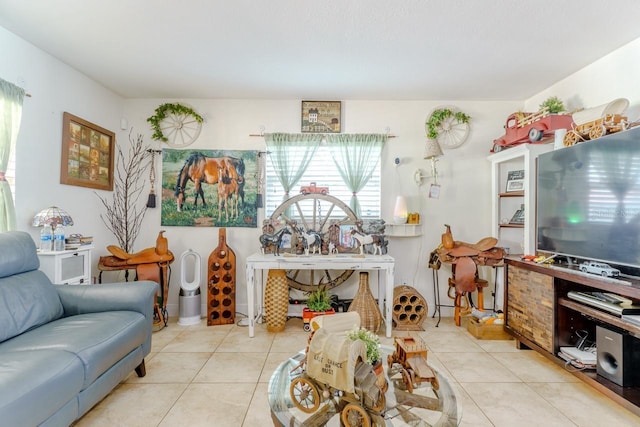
(218, 376)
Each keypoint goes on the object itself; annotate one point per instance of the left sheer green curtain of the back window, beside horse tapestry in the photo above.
(285, 150)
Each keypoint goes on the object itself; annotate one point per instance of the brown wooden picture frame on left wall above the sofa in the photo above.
(87, 154)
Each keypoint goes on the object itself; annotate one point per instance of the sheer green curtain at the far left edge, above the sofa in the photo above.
(11, 97)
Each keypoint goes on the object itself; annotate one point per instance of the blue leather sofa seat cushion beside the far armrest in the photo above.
(98, 339)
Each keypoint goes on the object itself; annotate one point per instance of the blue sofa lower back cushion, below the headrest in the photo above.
(27, 300)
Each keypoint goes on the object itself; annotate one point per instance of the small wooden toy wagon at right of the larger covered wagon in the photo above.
(411, 354)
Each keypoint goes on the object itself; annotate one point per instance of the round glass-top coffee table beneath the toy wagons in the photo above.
(423, 407)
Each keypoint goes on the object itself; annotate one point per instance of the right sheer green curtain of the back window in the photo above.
(356, 157)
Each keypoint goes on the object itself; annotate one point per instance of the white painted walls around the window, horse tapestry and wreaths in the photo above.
(464, 203)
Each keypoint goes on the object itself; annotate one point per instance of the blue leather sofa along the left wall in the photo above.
(63, 348)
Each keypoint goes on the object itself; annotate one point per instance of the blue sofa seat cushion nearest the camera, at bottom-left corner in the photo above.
(36, 384)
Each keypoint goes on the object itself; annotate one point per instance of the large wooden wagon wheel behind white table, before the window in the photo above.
(314, 212)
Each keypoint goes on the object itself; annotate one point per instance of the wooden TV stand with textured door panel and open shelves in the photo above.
(540, 316)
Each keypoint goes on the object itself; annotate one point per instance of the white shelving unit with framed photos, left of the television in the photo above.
(519, 238)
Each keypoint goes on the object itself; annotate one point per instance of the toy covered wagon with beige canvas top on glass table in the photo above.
(335, 369)
